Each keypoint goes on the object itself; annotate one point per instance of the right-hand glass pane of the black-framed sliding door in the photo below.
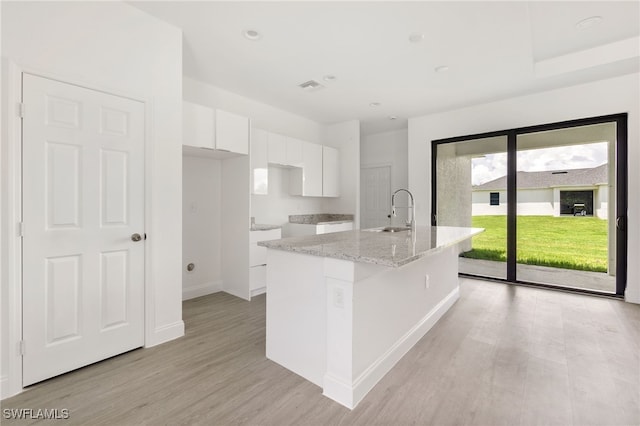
(564, 183)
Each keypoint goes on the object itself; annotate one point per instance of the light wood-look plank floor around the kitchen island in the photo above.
(503, 355)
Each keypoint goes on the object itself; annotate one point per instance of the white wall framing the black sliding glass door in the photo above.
(611, 96)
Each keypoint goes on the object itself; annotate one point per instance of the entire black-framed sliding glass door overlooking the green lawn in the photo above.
(552, 199)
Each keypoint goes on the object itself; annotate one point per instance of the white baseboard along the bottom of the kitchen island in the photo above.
(350, 394)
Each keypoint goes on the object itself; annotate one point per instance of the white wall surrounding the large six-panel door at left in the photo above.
(115, 47)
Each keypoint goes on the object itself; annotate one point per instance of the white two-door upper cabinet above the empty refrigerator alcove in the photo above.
(204, 127)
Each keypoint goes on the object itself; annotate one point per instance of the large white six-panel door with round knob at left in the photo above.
(83, 201)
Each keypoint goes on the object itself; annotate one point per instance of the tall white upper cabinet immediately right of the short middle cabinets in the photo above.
(307, 180)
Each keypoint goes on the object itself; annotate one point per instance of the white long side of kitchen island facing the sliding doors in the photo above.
(391, 309)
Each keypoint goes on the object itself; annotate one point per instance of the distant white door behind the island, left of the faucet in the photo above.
(376, 196)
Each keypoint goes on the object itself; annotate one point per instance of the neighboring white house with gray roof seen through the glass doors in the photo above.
(550, 193)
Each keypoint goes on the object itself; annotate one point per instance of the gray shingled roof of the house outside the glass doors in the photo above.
(529, 180)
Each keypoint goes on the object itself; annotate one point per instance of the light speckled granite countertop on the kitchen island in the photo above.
(392, 249)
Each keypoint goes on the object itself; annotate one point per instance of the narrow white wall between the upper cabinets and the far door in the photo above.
(346, 137)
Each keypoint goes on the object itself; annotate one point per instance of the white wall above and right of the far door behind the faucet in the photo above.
(388, 148)
